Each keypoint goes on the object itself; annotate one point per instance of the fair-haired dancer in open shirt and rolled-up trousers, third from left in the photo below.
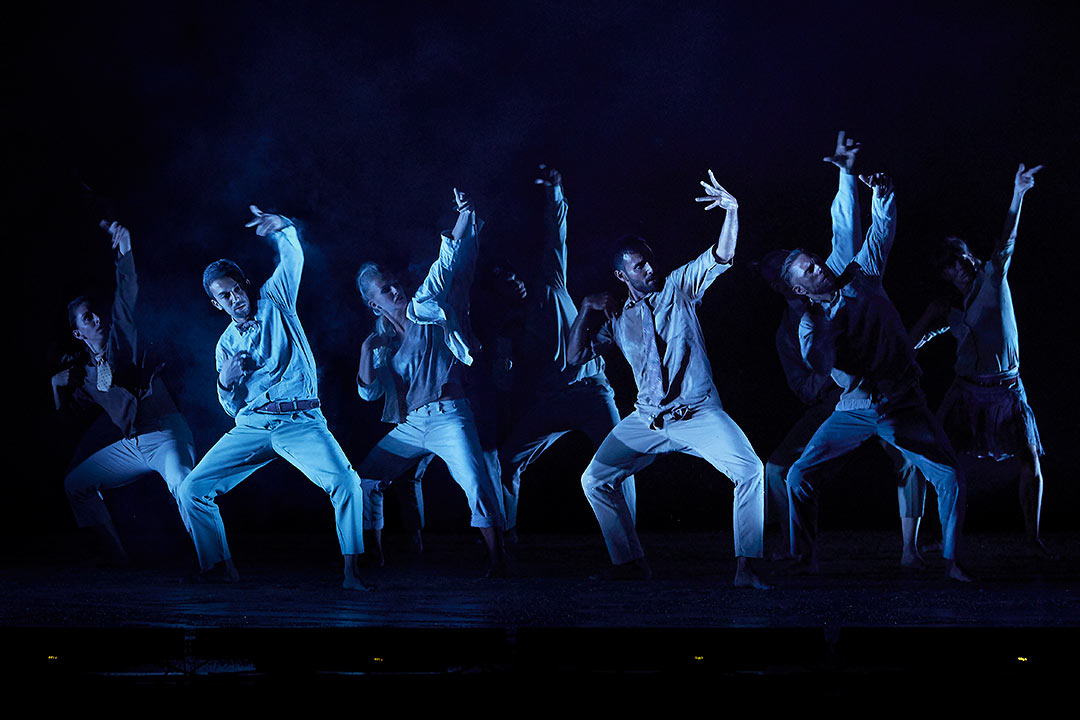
(416, 361)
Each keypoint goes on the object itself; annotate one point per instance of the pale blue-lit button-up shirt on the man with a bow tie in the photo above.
(285, 368)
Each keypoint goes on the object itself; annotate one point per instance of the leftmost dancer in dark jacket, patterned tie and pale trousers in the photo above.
(118, 378)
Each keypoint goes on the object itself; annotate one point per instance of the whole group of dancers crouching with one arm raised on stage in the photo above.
(445, 357)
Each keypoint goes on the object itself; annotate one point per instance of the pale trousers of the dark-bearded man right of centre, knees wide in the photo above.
(708, 432)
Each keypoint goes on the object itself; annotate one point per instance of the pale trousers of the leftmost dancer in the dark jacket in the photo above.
(169, 452)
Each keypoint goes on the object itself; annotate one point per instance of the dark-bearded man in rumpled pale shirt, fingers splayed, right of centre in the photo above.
(678, 409)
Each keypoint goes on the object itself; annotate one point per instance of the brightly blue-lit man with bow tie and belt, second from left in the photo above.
(268, 382)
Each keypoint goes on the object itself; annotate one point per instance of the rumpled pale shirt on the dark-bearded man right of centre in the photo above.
(661, 338)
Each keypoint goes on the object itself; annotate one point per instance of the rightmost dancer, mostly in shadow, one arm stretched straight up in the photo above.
(985, 412)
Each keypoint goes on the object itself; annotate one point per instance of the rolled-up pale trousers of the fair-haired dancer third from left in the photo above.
(448, 430)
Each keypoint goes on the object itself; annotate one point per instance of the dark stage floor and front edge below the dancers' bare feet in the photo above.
(437, 615)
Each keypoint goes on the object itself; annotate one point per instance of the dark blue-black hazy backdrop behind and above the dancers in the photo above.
(358, 119)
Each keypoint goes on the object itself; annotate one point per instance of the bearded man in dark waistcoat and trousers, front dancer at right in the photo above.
(853, 332)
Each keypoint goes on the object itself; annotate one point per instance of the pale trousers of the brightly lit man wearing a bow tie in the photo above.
(303, 440)
